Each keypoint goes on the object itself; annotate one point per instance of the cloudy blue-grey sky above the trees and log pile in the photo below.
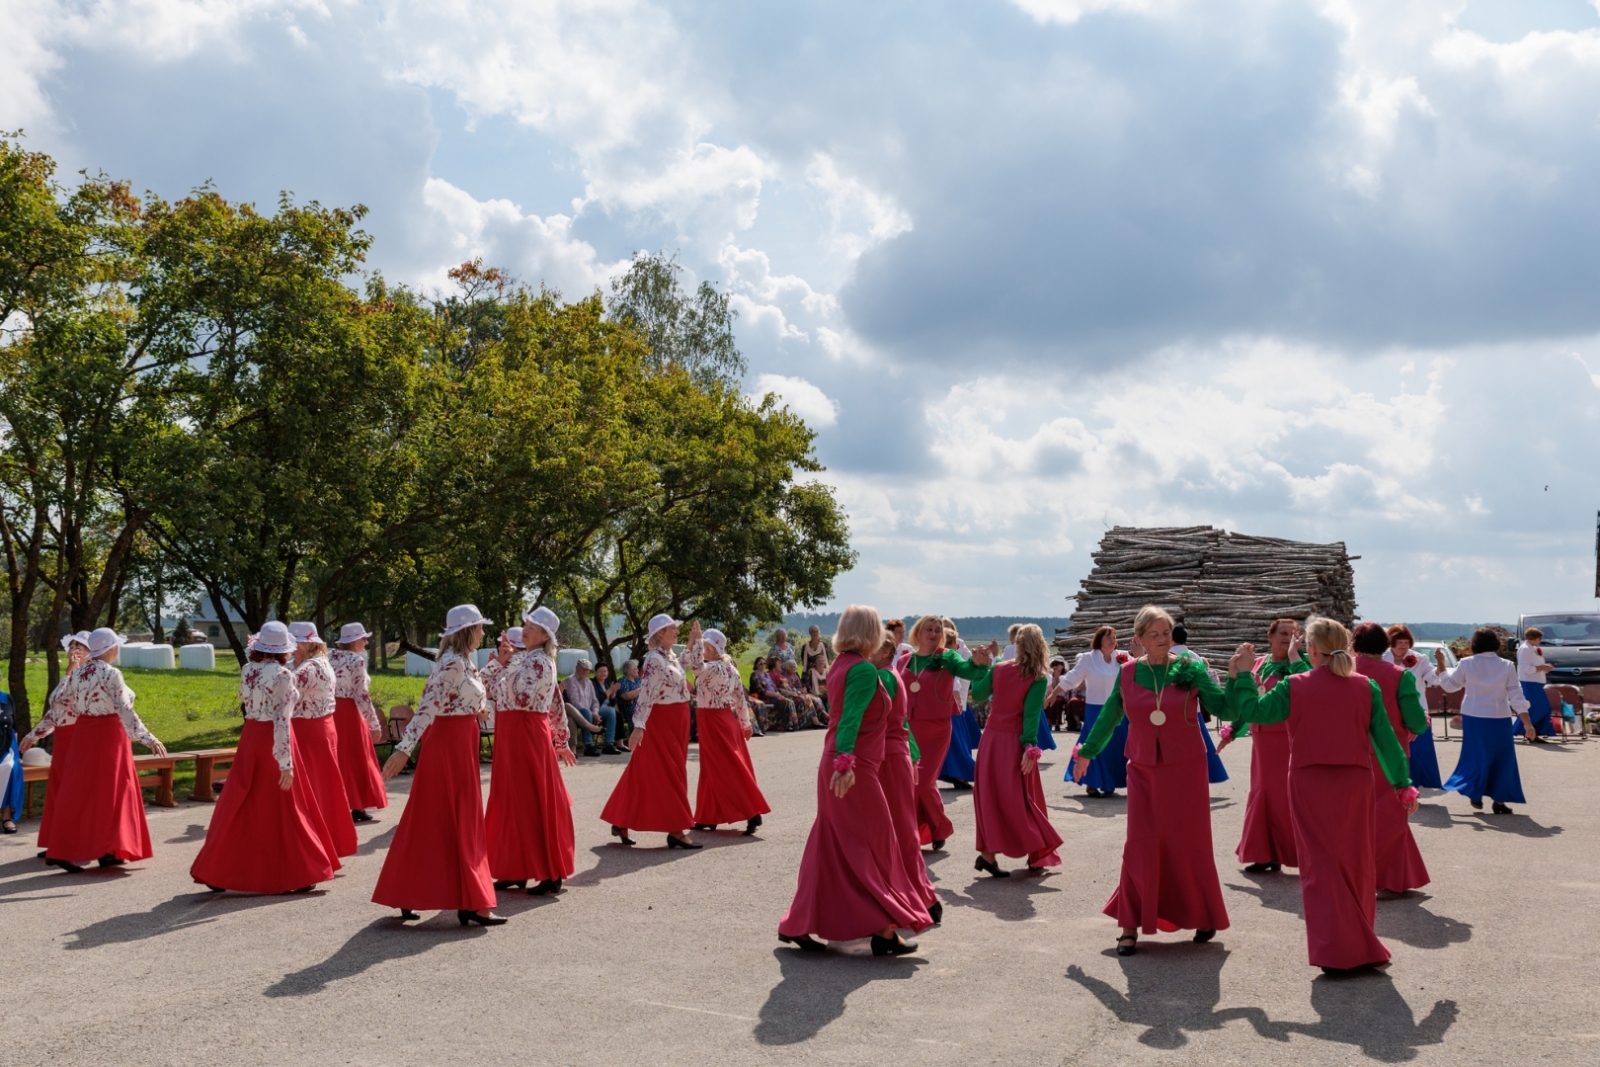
(1322, 270)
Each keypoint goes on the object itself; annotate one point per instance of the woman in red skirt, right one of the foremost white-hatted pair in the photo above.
(530, 817)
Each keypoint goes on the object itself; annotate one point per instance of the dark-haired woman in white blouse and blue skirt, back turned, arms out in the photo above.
(1489, 759)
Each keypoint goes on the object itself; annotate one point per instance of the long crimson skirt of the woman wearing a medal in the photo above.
(1169, 873)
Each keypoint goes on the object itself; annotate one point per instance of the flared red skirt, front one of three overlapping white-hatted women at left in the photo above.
(265, 839)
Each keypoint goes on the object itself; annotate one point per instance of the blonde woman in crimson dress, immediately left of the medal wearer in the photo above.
(1009, 797)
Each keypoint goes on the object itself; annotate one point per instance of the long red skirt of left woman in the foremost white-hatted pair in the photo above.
(439, 858)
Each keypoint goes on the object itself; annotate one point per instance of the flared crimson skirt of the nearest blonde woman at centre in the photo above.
(854, 877)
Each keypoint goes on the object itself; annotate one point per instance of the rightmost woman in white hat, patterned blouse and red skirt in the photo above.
(727, 789)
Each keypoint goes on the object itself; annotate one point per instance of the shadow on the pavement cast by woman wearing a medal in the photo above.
(1174, 989)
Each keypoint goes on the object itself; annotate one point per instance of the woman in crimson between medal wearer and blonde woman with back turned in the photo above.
(1268, 842)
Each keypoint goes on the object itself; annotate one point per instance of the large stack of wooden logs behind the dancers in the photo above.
(1225, 588)
